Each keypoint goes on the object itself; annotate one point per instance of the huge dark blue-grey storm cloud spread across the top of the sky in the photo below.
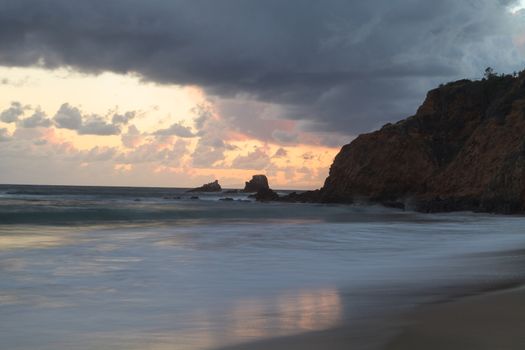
(342, 65)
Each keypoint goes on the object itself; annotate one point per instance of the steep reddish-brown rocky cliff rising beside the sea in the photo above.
(463, 150)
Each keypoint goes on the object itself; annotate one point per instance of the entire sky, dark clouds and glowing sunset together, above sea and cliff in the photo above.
(183, 92)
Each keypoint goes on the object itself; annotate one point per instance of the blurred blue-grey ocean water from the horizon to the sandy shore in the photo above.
(152, 268)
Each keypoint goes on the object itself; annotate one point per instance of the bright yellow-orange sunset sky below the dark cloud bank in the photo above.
(171, 136)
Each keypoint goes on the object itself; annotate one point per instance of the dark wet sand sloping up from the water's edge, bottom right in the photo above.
(490, 321)
